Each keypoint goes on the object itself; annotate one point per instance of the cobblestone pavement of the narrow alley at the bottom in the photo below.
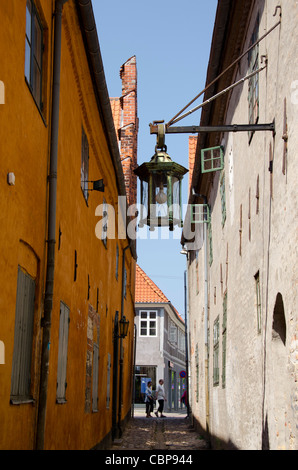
(171, 433)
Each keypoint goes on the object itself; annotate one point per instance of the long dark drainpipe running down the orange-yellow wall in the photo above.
(51, 241)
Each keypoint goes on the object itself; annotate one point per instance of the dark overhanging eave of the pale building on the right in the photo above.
(227, 42)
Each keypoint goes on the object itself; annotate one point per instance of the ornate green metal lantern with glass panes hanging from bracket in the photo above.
(161, 180)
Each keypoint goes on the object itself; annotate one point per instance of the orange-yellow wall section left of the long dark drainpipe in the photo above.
(23, 151)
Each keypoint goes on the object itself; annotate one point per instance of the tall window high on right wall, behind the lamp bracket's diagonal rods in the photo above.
(253, 84)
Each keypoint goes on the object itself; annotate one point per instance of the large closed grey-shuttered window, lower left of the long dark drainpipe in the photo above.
(23, 338)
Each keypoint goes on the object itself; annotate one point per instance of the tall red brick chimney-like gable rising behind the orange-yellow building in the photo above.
(125, 112)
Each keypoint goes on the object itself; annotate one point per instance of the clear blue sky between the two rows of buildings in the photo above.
(171, 40)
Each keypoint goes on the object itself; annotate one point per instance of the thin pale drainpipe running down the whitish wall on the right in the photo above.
(205, 312)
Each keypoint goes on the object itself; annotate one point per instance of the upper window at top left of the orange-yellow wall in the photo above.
(34, 52)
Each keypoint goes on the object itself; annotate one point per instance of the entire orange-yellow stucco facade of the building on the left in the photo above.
(88, 271)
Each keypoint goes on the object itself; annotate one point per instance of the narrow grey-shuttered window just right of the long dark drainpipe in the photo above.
(62, 353)
